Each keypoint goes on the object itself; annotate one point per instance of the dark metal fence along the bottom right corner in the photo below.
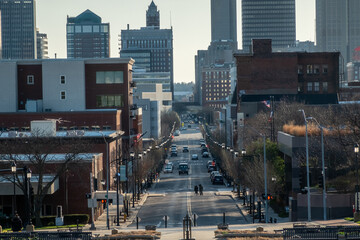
(322, 233)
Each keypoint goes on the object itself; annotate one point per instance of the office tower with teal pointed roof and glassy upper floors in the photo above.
(87, 36)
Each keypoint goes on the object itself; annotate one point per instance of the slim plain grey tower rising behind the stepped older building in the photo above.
(223, 20)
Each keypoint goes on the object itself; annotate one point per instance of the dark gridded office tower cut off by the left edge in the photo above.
(18, 29)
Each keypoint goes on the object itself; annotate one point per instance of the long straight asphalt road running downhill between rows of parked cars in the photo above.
(175, 193)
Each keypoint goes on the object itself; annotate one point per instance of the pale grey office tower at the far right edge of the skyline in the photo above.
(337, 26)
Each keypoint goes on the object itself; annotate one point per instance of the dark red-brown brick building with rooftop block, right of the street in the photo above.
(312, 78)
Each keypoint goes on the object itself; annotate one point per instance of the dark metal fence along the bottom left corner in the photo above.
(46, 235)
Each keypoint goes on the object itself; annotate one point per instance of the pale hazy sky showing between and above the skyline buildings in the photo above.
(190, 20)
